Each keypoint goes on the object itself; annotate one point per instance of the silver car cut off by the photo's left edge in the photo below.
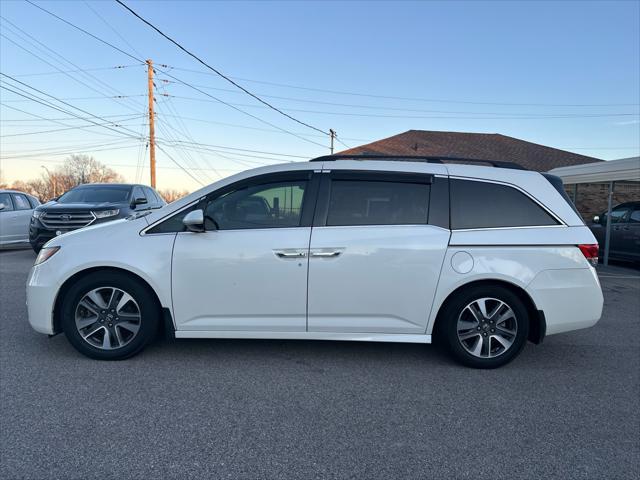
(15, 213)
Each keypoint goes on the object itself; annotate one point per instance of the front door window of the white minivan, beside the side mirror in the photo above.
(271, 205)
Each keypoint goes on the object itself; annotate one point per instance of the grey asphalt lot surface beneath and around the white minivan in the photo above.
(196, 409)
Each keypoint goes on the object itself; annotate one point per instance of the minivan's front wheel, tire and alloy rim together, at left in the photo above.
(109, 316)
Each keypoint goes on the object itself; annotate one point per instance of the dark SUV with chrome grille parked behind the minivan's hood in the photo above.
(89, 204)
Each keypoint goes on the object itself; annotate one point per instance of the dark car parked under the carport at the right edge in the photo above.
(625, 232)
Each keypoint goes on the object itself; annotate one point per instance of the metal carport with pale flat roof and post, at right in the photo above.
(610, 172)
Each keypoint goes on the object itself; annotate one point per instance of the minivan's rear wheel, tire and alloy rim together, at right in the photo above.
(485, 326)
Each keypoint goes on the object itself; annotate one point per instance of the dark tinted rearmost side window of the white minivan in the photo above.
(477, 204)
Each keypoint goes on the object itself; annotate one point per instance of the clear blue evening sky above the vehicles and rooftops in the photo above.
(562, 74)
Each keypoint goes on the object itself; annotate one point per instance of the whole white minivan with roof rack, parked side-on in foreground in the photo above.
(341, 248)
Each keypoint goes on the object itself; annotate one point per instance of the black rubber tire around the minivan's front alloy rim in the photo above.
(149, 314)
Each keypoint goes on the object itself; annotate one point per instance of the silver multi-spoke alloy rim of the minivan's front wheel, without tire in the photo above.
(107, 318)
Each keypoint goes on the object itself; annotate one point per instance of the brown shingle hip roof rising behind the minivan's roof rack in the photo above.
(480, 146)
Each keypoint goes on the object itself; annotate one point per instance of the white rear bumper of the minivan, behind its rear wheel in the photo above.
(571, 299)
